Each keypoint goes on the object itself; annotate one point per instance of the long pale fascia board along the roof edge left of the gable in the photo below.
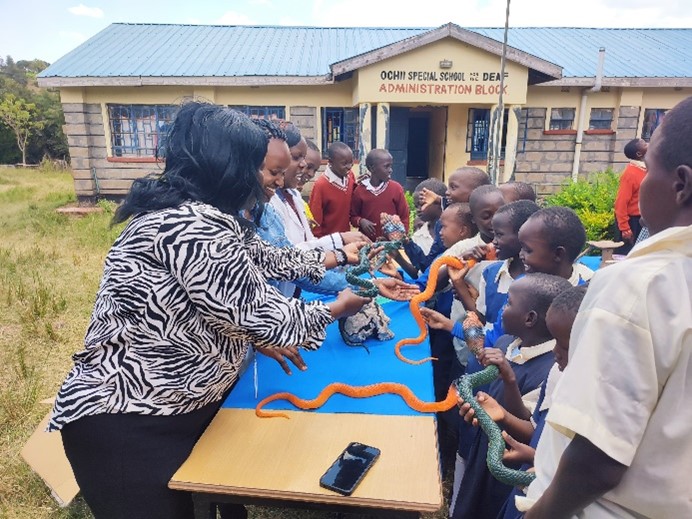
(104, 81)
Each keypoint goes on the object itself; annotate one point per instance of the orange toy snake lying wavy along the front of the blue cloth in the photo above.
(359, 392)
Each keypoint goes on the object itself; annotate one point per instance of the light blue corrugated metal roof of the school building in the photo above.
(152, 50)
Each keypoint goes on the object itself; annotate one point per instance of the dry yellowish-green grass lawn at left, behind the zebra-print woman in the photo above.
(50, 266)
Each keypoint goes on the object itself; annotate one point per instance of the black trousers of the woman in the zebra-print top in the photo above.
(123, 462)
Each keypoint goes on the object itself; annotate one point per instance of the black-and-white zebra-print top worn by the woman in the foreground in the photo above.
(182, 296)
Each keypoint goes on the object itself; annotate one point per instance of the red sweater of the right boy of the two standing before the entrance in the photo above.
(367, 205)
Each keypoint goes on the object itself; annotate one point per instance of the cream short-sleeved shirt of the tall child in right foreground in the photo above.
(627, 387)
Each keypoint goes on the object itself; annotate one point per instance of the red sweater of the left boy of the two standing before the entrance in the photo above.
(330, 205)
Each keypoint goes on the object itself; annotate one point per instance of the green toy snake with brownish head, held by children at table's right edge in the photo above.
(473, 332)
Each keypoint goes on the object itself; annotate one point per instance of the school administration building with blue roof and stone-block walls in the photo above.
(572, 98)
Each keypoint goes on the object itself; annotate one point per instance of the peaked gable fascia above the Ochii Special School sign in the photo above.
(448, 30)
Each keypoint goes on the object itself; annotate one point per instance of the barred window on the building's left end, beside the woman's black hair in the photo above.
(139, 130)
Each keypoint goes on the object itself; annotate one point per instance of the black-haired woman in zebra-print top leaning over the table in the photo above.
(183, 295)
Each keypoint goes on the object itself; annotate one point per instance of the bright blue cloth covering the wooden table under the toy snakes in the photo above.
(337, 362)
